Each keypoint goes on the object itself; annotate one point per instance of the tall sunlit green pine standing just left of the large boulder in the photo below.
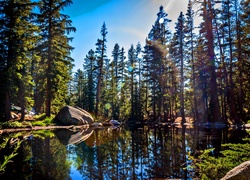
(55, 51)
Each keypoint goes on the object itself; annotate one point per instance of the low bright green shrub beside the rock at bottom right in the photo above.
(211, 167)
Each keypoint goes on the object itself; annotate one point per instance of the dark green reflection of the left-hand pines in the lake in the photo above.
(41, 156)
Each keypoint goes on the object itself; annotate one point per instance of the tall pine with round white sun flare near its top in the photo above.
(158, 64)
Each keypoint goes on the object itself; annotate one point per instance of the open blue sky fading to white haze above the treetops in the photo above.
(128, 22)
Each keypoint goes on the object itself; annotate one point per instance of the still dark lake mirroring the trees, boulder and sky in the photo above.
(110, 153)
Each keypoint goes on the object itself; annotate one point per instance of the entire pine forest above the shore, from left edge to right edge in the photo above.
(202, 72)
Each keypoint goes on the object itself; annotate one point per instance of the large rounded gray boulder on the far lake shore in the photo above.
(69, 115)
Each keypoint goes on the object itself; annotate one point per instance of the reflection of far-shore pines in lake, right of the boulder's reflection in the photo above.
(141, 153)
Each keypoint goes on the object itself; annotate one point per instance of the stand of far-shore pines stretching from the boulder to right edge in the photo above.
(202, 72)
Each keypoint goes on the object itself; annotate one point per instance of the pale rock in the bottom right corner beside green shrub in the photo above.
(240, 172)
